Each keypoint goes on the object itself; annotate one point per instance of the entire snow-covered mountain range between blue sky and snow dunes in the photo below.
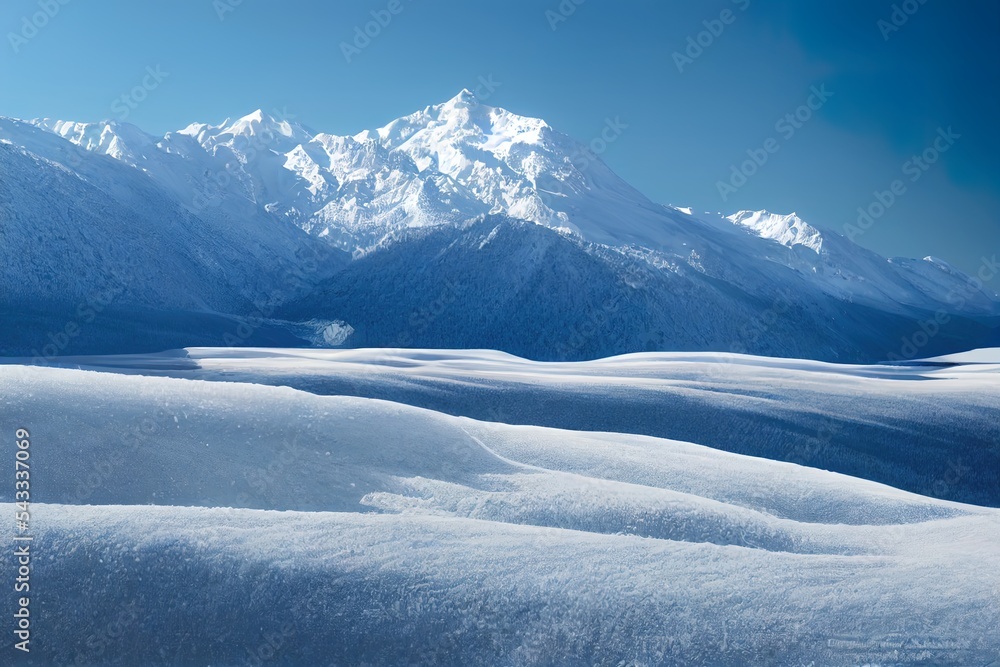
(462, 225)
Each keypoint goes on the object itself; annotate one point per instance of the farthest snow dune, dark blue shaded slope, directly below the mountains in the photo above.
(932, 430)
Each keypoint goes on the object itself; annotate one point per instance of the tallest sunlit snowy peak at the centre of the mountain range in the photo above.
(520, 166)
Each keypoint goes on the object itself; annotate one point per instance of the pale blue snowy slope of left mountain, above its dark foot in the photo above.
(140, 226)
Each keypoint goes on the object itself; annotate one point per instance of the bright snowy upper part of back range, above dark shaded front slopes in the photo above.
(460, 159)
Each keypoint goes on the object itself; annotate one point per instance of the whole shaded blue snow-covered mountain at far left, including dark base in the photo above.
(94, 254)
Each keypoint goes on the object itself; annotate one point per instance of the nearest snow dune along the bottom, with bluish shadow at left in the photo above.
(215, 586)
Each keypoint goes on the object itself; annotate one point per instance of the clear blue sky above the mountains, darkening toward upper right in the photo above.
(892, 90)
